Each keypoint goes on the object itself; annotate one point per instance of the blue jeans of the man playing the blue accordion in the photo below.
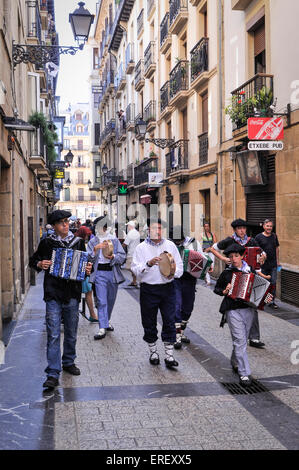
(56, 310)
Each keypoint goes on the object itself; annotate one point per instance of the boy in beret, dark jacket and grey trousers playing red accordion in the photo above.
(236, 313)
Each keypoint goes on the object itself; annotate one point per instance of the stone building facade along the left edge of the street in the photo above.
(25, 182)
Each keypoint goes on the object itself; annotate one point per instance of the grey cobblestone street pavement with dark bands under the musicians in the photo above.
(120, 401)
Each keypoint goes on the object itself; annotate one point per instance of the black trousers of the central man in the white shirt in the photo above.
(153, 298)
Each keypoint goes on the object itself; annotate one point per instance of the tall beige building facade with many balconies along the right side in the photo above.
(195, 71)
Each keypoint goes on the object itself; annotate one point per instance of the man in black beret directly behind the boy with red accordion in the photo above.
(240, 236)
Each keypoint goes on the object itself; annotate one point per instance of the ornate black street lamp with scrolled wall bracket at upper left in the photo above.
(40, 54)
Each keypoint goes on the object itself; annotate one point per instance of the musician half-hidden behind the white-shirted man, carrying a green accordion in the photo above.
(184, 287)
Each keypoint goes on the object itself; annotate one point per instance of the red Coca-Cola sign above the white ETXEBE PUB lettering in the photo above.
(265, 128)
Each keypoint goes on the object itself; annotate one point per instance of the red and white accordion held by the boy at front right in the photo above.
(252, 288)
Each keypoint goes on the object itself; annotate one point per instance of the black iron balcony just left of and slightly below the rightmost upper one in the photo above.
(179, 83)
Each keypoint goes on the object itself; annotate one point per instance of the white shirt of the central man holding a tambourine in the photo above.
(144, 252)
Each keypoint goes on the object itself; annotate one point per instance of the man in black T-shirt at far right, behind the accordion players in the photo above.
(268, 241)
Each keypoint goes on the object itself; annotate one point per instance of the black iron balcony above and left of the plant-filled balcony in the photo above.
(199, 63)
